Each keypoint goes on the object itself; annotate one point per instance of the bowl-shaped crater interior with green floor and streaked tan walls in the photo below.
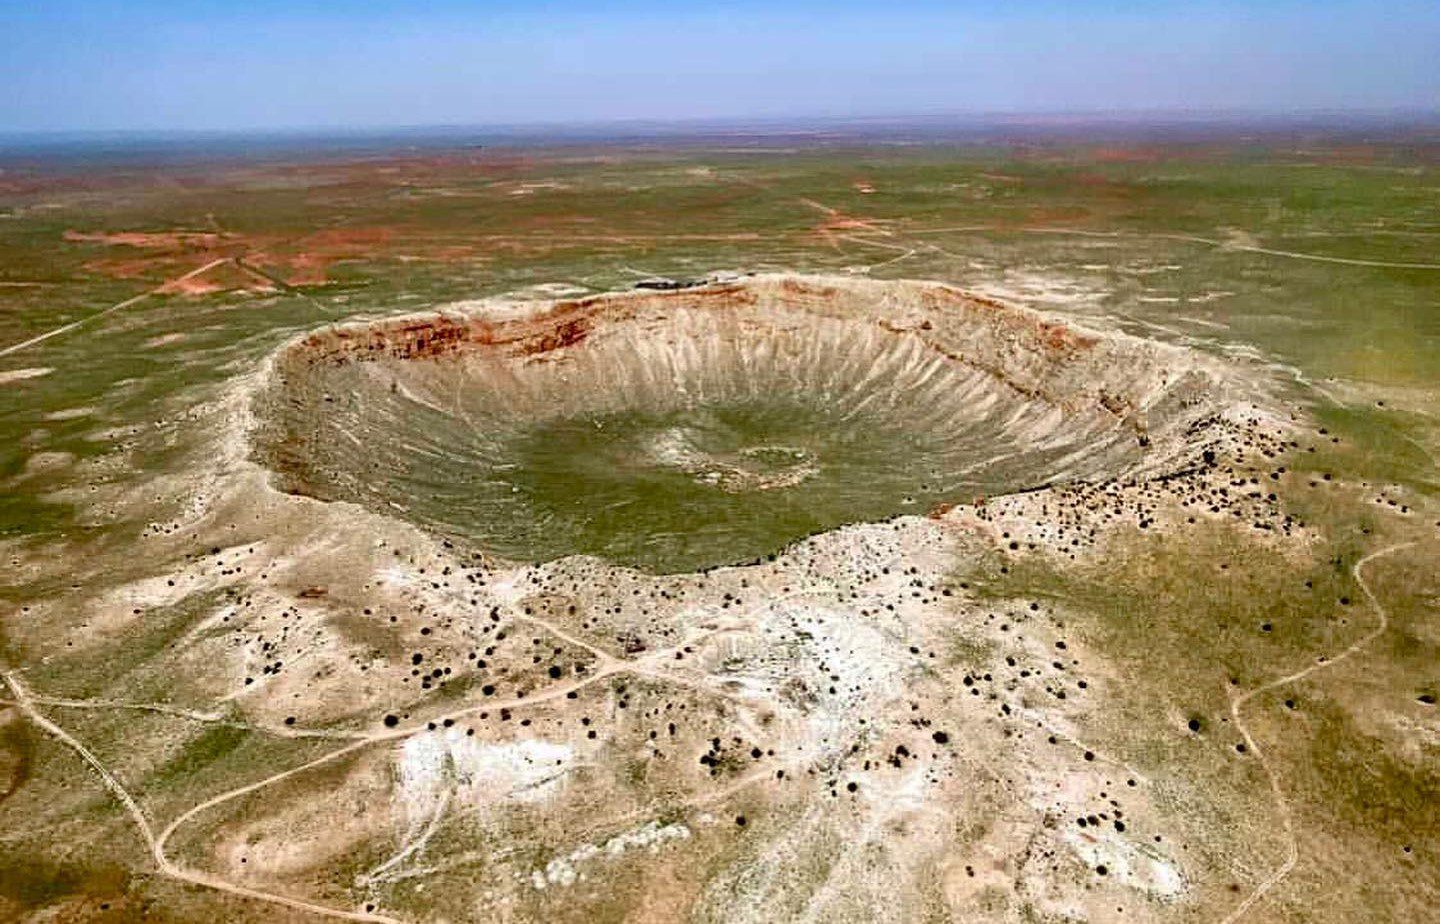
(715, 425)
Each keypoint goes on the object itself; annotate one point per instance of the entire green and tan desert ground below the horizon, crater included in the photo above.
(269, 656)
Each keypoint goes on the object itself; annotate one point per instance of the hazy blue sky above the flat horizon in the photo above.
(210, 65)
